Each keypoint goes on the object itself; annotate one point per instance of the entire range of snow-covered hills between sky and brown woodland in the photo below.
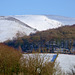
(11, 25)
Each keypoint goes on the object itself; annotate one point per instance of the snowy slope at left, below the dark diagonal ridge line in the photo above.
(9, 27)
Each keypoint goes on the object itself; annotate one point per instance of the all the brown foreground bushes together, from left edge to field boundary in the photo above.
(12, 62)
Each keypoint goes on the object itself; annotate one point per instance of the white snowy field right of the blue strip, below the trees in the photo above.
(66, 62)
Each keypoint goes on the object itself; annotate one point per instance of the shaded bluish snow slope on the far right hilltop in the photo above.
(62, 19)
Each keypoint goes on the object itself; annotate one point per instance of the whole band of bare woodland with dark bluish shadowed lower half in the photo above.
(41, 41)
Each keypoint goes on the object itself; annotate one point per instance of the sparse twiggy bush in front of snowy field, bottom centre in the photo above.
(35, 64)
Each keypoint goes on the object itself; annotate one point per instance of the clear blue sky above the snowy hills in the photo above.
(37, 7)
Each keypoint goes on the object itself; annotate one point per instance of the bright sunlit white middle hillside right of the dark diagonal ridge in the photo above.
(39, 22)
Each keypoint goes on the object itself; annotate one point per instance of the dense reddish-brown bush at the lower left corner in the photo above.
(9, 60)
